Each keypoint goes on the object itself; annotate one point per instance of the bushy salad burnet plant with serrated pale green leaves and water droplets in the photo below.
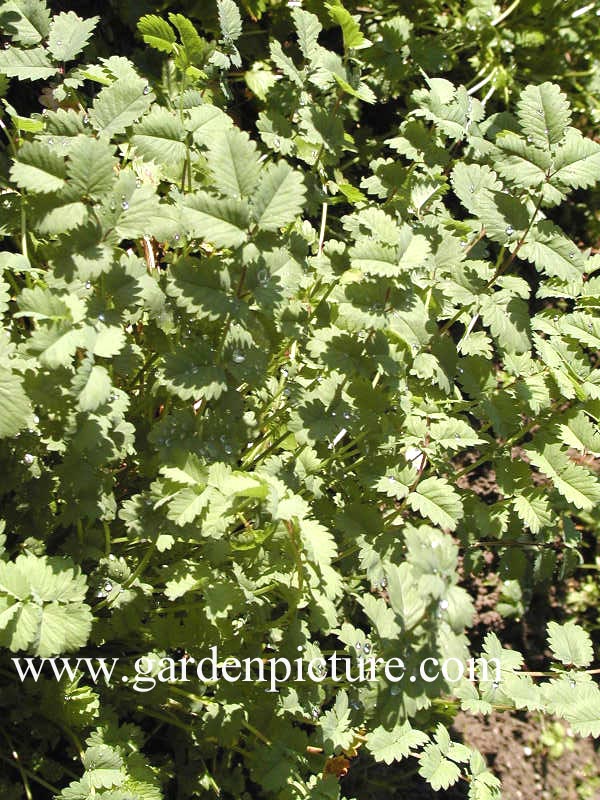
(244, 380)
